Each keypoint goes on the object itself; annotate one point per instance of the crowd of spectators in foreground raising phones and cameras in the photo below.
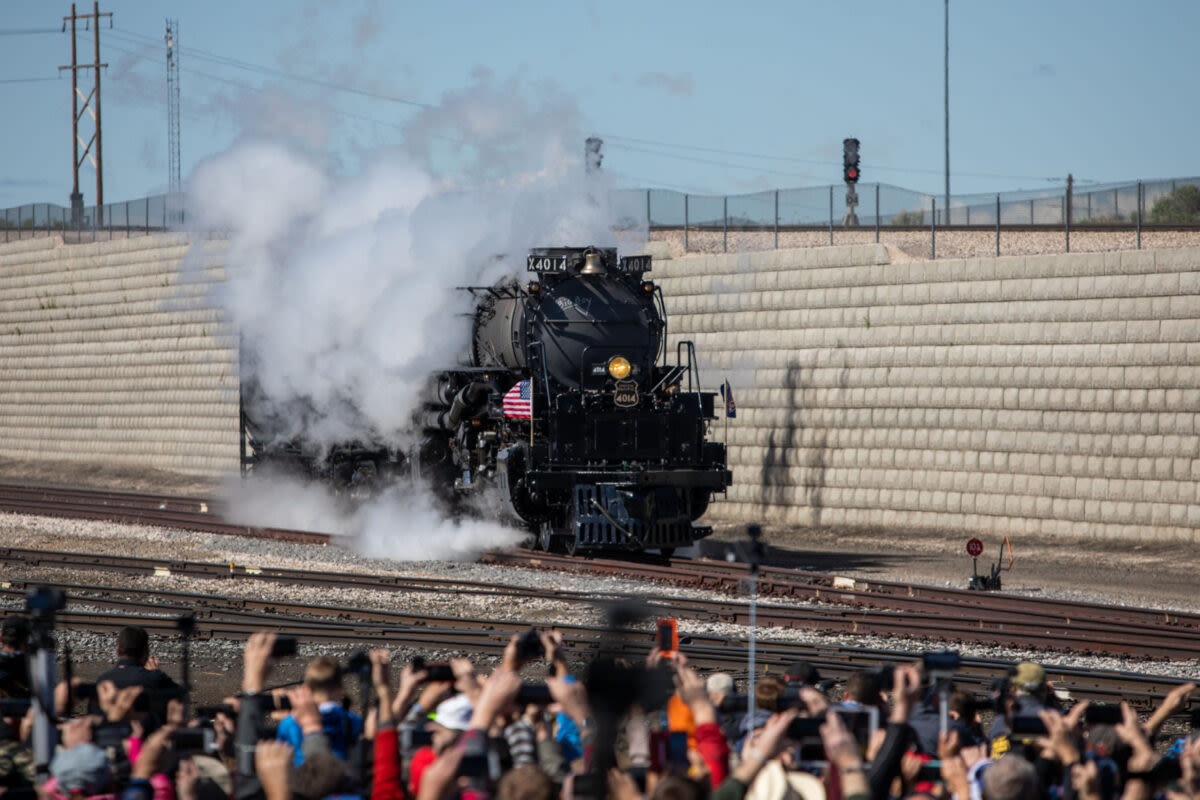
(620, 729)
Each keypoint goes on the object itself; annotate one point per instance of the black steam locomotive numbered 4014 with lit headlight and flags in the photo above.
(569, 408)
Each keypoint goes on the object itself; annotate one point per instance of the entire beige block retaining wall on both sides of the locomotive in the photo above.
(1049, 395)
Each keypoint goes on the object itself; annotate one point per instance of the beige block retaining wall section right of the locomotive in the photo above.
(1051, 395)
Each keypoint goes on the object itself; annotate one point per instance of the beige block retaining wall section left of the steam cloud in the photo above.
(109, 356)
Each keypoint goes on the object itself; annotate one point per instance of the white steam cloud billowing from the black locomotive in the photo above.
(343, 287)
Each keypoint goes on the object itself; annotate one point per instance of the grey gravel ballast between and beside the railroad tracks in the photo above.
(917, 558)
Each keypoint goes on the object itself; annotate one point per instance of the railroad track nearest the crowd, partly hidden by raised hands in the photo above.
(104, 610)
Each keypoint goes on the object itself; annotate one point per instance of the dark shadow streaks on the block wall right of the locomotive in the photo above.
(777, 489)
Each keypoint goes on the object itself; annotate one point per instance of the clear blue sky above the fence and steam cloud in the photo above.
(699, 97)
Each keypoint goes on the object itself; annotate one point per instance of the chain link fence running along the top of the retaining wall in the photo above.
(880, 208)
